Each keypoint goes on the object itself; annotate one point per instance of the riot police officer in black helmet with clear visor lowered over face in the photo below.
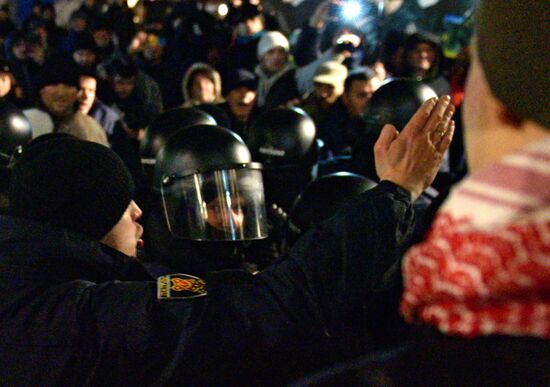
(208, 201)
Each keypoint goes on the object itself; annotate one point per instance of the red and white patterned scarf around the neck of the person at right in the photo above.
(484, 267)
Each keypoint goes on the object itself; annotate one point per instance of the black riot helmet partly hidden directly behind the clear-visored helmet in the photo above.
(169, 122)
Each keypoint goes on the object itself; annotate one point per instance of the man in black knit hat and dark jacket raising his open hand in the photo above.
(78, 309)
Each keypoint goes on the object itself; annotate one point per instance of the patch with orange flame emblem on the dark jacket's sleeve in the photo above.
(180, 286)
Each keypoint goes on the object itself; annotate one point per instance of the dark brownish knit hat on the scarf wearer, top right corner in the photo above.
(512, 36)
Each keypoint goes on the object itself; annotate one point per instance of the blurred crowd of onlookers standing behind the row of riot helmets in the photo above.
(188, 54)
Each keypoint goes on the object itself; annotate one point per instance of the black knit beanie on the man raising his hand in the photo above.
(70, 183)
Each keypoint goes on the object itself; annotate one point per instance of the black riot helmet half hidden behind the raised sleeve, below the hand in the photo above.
(321, 199)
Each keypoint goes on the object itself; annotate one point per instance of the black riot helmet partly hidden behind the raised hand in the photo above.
(394, 103)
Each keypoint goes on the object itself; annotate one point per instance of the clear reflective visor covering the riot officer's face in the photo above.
(221, 205)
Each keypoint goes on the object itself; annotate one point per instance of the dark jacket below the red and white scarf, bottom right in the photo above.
(434, 359)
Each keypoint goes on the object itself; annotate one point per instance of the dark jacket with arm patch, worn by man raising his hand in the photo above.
(76, 313)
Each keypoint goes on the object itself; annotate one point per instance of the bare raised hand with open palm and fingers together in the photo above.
(412, 158)
